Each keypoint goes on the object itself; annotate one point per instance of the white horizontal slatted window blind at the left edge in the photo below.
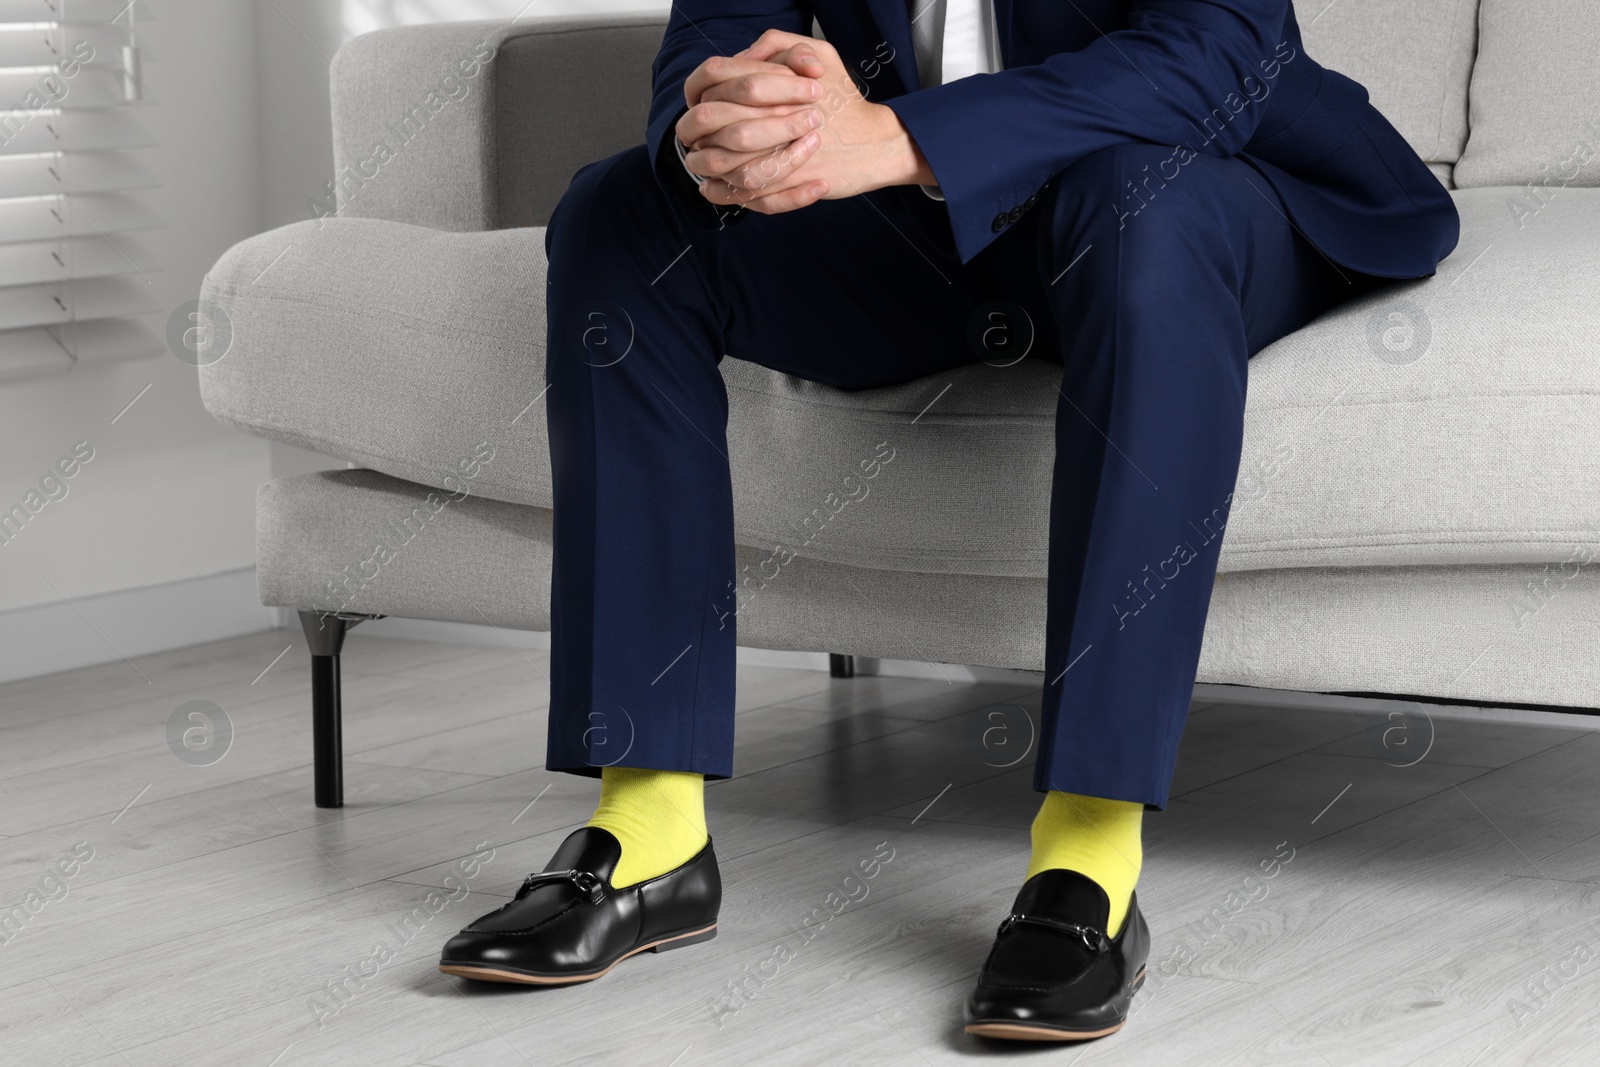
(76, 252)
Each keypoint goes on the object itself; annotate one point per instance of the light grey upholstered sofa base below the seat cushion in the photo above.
(1470, 633)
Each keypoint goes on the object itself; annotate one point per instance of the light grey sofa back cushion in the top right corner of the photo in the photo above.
(1535, 97)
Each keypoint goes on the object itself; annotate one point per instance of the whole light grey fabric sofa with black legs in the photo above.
(1418, 508)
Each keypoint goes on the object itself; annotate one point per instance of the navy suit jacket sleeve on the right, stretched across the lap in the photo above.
(1182, 73)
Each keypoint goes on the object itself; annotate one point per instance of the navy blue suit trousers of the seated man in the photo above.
(1151, 289)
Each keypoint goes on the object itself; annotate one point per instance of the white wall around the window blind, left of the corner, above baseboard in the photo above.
(169, 495)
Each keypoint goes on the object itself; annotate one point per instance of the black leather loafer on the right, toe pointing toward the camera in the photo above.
(1054, 975)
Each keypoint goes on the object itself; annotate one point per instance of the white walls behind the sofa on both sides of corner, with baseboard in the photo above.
(244, 132)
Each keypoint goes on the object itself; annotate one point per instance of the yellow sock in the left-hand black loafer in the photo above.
(658, 817)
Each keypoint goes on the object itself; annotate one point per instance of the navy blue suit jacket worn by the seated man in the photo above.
(1217, 78)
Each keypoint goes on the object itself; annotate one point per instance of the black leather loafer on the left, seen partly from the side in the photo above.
(569, 925)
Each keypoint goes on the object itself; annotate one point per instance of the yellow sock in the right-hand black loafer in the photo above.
(1095, 837)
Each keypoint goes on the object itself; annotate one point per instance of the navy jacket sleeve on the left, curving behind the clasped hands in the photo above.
(697, 31)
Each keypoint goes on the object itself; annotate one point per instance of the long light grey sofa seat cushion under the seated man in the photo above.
(1441, 422)
